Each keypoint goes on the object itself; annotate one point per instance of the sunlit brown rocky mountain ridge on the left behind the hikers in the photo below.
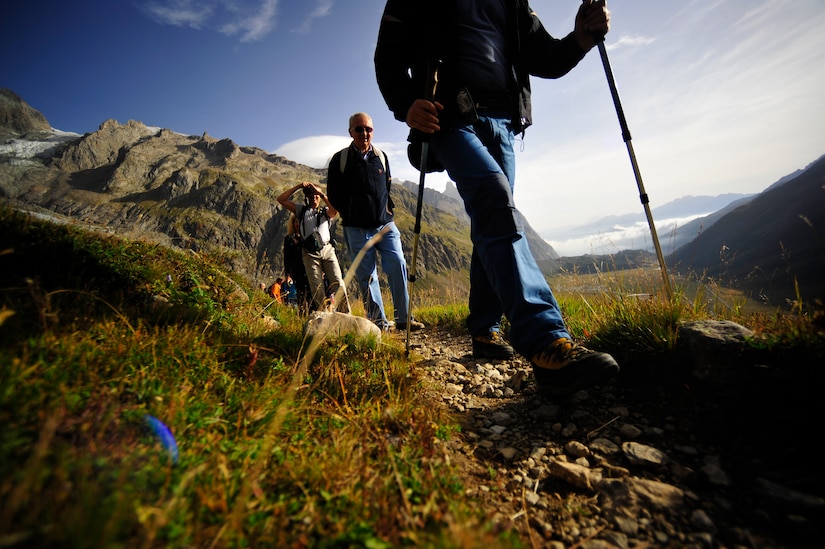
(195, 192)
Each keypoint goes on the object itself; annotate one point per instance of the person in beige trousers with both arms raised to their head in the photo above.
(318, 252)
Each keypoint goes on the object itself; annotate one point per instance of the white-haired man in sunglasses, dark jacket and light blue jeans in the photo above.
(358, 183)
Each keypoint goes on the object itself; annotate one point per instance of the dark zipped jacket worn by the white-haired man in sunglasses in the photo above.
(361, 194)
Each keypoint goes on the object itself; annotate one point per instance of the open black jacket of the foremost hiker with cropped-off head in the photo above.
(414, 33)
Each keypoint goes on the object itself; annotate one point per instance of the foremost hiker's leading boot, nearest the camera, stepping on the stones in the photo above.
(564, 367)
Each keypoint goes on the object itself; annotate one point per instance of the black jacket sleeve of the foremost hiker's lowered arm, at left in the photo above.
(396, 58)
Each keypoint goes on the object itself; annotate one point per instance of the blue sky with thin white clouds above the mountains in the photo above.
(721, 96)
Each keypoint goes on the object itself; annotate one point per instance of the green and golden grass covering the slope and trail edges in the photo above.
(281, 443)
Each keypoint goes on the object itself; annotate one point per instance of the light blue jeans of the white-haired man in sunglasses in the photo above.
(392, 263)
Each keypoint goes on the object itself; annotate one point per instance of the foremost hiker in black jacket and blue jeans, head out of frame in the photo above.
(485, 52)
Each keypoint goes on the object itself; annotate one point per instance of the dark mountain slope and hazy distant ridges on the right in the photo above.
(770, 244)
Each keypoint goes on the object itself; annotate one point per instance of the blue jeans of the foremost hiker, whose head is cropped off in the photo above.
(504, 276)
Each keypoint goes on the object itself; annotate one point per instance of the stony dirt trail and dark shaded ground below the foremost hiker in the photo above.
(644, 461)
